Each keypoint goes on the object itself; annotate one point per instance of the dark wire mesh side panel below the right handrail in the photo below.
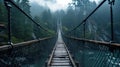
(91, 53)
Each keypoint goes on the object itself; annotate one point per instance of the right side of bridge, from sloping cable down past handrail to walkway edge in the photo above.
(94, 42)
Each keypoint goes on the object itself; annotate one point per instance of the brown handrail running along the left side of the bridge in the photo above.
(21, 44)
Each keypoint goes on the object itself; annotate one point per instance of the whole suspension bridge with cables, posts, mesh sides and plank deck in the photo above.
(62, 49)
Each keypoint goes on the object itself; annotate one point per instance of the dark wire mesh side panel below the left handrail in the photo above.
(34, 54)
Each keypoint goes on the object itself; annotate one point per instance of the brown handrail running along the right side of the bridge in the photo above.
(108, 44)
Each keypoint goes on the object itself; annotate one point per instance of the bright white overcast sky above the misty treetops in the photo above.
(56, 4)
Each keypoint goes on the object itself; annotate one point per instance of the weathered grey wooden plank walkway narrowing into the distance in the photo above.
(60, 56)
